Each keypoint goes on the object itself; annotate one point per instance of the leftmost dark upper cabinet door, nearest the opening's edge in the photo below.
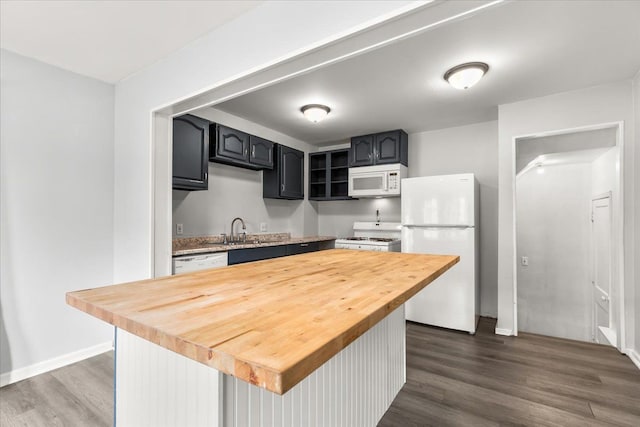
(190, 153)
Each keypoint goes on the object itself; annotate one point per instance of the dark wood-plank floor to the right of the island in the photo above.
(457, 379)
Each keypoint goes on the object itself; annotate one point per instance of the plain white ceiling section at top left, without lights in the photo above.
(109, 40)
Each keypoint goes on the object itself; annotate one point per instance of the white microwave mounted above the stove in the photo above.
(376, 181)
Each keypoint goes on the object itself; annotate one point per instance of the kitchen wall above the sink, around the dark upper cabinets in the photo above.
(237, 192)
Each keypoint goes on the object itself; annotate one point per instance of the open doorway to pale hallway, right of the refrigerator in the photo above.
(569, 234)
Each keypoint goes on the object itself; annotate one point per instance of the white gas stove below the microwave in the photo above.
(373, 236)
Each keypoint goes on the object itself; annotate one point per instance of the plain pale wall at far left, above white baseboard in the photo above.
(57, 208)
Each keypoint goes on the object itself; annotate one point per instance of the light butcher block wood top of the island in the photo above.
(270, 323)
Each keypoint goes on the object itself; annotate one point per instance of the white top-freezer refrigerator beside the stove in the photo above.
(440, 216)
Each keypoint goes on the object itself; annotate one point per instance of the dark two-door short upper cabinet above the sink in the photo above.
(237, 148)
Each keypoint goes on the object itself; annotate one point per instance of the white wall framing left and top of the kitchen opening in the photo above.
(226, 52)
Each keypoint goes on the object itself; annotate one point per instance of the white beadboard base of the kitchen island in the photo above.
(156, 387)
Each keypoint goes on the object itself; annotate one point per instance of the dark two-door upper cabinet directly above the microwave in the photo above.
(379, 149)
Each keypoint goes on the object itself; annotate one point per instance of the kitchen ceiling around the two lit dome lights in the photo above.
(534, 48)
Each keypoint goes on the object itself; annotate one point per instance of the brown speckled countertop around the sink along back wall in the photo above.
(201, 245)
